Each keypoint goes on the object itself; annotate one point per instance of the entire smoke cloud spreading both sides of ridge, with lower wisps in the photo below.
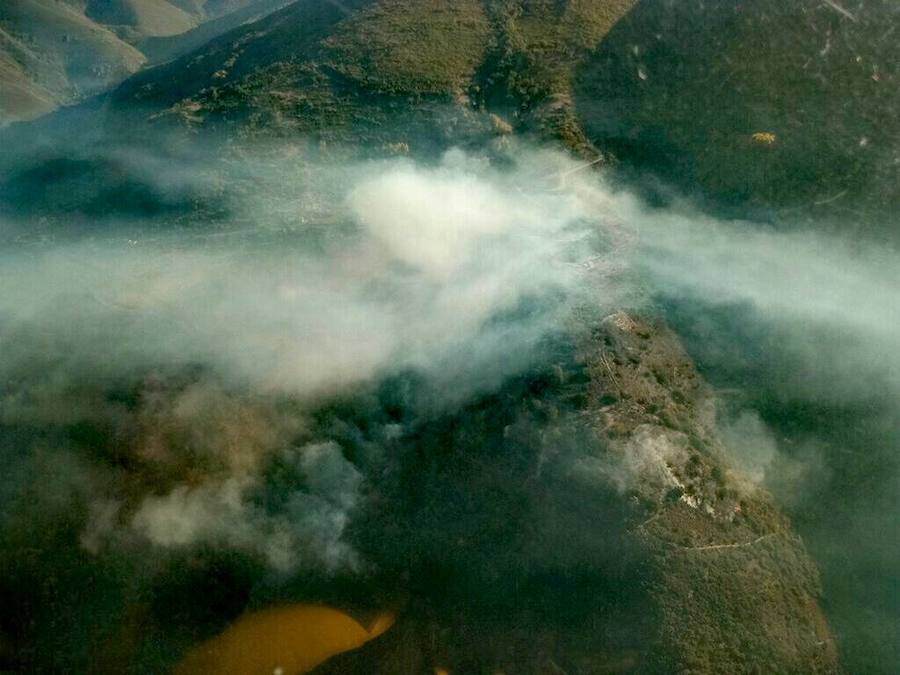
(354, 272)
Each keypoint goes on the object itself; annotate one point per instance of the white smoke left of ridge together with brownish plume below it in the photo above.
(457, 271)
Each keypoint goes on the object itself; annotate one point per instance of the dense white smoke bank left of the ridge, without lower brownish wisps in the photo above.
(430, 258)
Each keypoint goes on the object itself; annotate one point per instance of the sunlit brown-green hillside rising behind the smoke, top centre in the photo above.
(312, 62)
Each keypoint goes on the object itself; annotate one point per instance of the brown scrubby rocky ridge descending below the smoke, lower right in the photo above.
(736, 590)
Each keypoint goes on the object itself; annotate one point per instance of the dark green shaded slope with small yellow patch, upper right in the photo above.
(765, 107)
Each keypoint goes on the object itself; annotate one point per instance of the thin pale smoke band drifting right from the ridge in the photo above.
(834, 292)
